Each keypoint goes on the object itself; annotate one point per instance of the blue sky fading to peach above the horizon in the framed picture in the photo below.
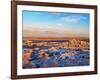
(55, 24)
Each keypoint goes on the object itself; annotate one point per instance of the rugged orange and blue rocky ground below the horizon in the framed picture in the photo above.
(64, 53)
